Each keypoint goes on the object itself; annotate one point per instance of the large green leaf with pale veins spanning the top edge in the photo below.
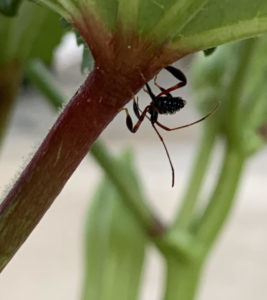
(186, 25)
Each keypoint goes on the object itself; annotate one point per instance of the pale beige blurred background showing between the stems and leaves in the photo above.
(50, 263)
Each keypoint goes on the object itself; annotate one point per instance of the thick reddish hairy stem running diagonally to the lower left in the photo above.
(84, 118)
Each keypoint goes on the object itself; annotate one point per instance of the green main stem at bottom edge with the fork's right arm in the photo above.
(182, 278)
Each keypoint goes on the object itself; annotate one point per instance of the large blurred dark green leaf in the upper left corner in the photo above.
(35, 32)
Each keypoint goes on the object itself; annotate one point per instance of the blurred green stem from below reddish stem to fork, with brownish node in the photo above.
(166, 241)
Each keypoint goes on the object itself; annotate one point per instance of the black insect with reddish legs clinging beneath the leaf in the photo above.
(163, 103)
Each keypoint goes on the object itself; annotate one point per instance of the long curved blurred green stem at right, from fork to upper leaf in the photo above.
(222, 198)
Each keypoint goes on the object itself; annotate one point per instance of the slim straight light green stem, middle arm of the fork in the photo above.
(194, 185)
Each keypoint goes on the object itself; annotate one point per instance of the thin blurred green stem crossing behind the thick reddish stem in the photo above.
(151, 225)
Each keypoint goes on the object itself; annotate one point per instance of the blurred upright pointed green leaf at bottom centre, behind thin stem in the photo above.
(115, 246)
